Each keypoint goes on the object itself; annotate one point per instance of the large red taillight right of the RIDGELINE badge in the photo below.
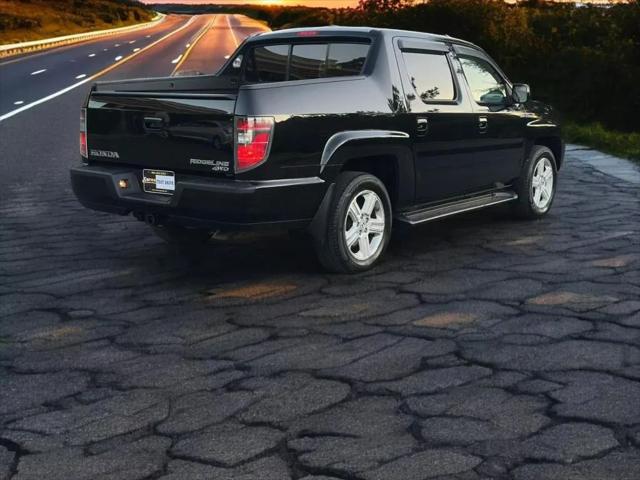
(253, 140)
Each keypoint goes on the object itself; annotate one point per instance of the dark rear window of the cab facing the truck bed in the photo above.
(304, 61)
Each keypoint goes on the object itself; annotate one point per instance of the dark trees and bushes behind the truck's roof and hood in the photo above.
(585, 60)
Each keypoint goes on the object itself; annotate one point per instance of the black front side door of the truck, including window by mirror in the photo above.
(499, 124)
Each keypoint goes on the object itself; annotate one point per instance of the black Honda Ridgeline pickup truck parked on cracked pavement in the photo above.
(334, 130)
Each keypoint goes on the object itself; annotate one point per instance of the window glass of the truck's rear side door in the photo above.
(430, 75)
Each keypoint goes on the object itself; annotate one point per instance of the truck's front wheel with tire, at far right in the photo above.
(535, 201)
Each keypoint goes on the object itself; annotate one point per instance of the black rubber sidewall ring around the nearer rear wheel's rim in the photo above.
(355, 186)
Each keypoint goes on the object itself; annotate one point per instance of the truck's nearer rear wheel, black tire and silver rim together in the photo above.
(372, 229)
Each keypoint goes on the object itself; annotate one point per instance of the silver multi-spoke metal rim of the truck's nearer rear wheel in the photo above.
(364, 226)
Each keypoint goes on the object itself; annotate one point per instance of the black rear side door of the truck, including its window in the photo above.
(442, 119)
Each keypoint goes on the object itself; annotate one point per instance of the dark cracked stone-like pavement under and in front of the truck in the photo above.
(482, 348)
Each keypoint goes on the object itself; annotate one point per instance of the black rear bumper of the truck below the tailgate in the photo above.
(201, 201)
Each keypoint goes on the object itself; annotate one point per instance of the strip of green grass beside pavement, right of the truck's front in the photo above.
(596, 136)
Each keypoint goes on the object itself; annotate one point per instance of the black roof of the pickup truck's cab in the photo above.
(335, 30)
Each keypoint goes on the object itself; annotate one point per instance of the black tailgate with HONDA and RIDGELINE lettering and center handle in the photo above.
(183, 132)
